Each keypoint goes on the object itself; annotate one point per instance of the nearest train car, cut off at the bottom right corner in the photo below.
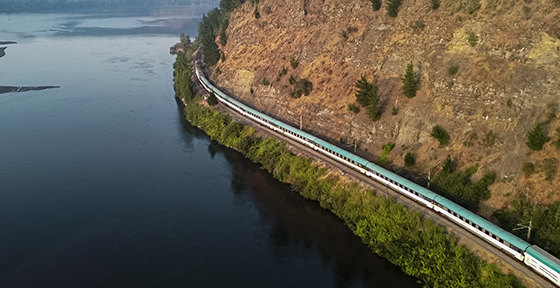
(544, 263)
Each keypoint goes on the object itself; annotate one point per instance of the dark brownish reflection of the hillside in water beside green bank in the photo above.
(297, 224)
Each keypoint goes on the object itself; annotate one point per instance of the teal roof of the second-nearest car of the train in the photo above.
(481, 222)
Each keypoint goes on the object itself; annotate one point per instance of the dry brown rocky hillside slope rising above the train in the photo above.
(507, 59)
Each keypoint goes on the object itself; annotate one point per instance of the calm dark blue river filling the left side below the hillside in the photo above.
(103, 184)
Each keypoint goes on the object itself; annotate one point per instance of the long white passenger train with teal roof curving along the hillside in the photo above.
(533, 256)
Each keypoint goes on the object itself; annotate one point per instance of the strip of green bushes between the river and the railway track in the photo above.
(420, 247)
